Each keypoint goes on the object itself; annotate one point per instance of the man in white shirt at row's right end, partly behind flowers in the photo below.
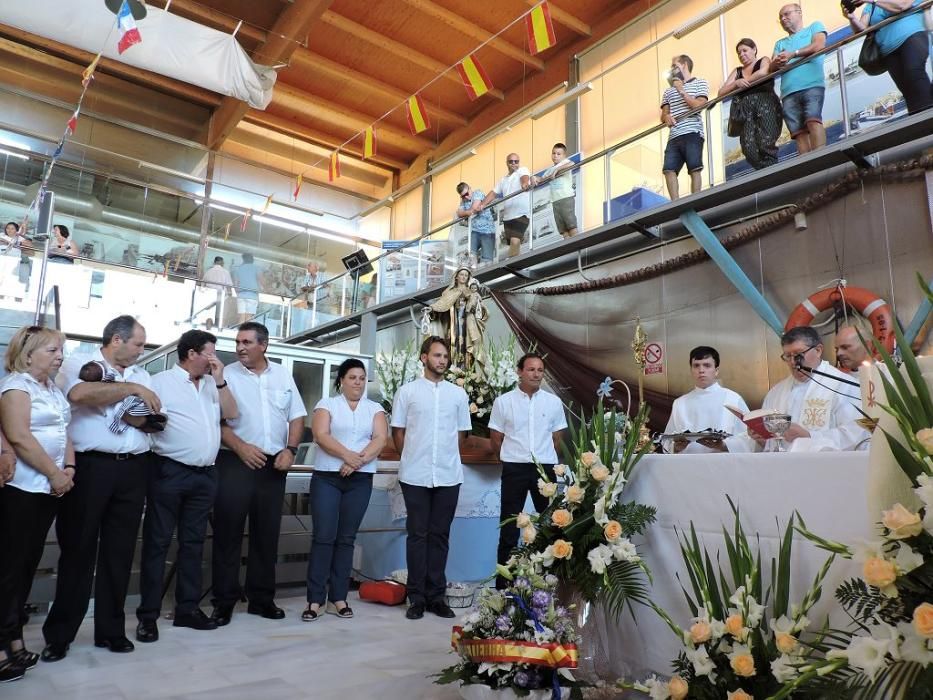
(525, 428)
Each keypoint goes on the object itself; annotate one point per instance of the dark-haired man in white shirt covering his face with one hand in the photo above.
(182, 486)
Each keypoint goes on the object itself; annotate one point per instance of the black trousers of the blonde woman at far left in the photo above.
(25, 519)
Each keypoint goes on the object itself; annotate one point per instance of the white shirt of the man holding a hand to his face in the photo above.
(192, 432)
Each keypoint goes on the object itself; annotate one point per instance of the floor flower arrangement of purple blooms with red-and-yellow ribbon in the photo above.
(518, 641)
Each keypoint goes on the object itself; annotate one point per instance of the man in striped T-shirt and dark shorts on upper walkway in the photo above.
(685, 143)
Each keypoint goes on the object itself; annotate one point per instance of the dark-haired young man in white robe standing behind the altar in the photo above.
(704, 407)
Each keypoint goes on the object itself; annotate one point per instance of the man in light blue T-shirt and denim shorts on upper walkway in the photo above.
(803, 88)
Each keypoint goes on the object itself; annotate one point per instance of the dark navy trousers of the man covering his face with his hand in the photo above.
(183, 496)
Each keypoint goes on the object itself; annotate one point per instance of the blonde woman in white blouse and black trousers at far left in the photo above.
(34, 414)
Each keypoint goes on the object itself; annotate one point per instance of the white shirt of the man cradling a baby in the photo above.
(90, 425)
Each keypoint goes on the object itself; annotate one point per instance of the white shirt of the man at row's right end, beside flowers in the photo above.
(528, 424)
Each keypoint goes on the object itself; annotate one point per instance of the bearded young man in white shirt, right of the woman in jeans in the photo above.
(430, 420)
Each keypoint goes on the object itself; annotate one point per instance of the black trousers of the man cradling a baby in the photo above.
(97, 527)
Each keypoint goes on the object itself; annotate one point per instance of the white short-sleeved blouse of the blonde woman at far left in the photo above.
(48, 420)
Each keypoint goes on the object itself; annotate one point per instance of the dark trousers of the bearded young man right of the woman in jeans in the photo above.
(431, 510)
